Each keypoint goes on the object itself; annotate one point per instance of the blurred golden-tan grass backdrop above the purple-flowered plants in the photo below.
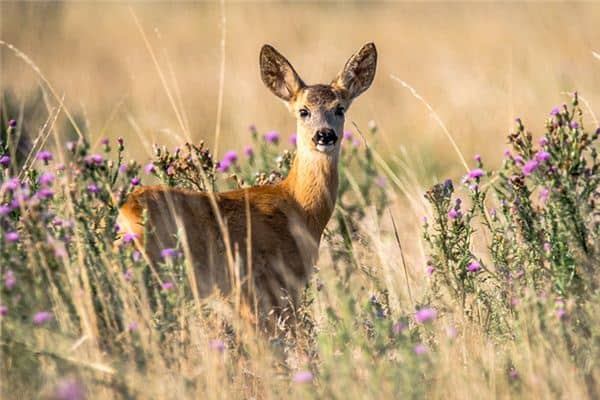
(479, 65)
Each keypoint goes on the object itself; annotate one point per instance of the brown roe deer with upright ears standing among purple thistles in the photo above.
(276, 253)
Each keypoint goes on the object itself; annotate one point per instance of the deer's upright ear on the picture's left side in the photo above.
(278, 74)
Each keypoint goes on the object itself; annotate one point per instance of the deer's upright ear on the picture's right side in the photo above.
(359, 71)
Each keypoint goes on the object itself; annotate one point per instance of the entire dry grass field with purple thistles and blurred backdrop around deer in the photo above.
(437, 277)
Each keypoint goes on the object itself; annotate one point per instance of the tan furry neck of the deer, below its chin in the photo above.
(313, 183)
